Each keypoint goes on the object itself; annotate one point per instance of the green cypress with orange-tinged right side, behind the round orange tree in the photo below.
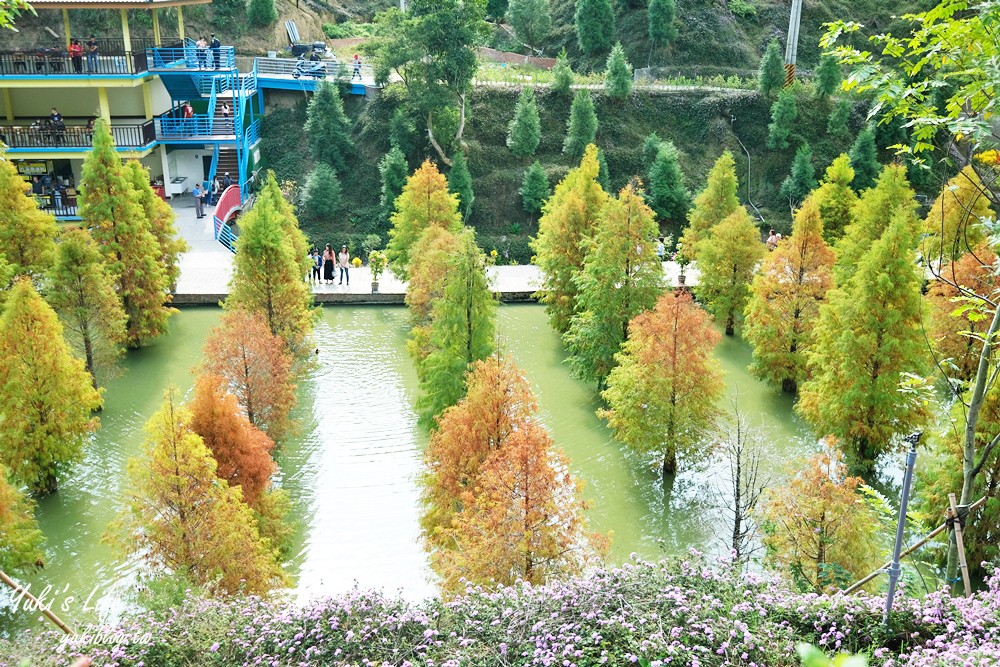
(621, 277)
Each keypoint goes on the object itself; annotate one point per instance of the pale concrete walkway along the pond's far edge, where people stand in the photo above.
(207, 267)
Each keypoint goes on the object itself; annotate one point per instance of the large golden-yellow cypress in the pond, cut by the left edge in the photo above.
(46, 395)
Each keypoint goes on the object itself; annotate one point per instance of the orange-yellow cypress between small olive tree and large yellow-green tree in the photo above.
(785, 299)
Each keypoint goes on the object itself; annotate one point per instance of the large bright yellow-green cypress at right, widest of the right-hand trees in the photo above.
(868, 340)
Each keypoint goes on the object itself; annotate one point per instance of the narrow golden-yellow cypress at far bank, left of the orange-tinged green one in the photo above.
(569, 217)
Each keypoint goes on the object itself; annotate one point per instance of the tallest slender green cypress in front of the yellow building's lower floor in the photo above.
(113, 211)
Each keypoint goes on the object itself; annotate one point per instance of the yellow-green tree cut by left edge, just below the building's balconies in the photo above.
(27, 234)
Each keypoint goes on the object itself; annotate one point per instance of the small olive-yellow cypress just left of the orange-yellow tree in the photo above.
(727, 259)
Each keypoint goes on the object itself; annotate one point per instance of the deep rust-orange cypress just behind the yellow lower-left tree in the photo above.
(243, 452)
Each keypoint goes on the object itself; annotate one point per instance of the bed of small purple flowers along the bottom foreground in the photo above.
(667, 613)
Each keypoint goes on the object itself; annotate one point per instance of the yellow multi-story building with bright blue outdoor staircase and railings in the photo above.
(187, 113)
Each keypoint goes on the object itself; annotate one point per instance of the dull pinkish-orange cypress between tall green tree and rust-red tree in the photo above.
(255, 366)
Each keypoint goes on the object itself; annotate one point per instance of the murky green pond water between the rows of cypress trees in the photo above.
(351, 471)
